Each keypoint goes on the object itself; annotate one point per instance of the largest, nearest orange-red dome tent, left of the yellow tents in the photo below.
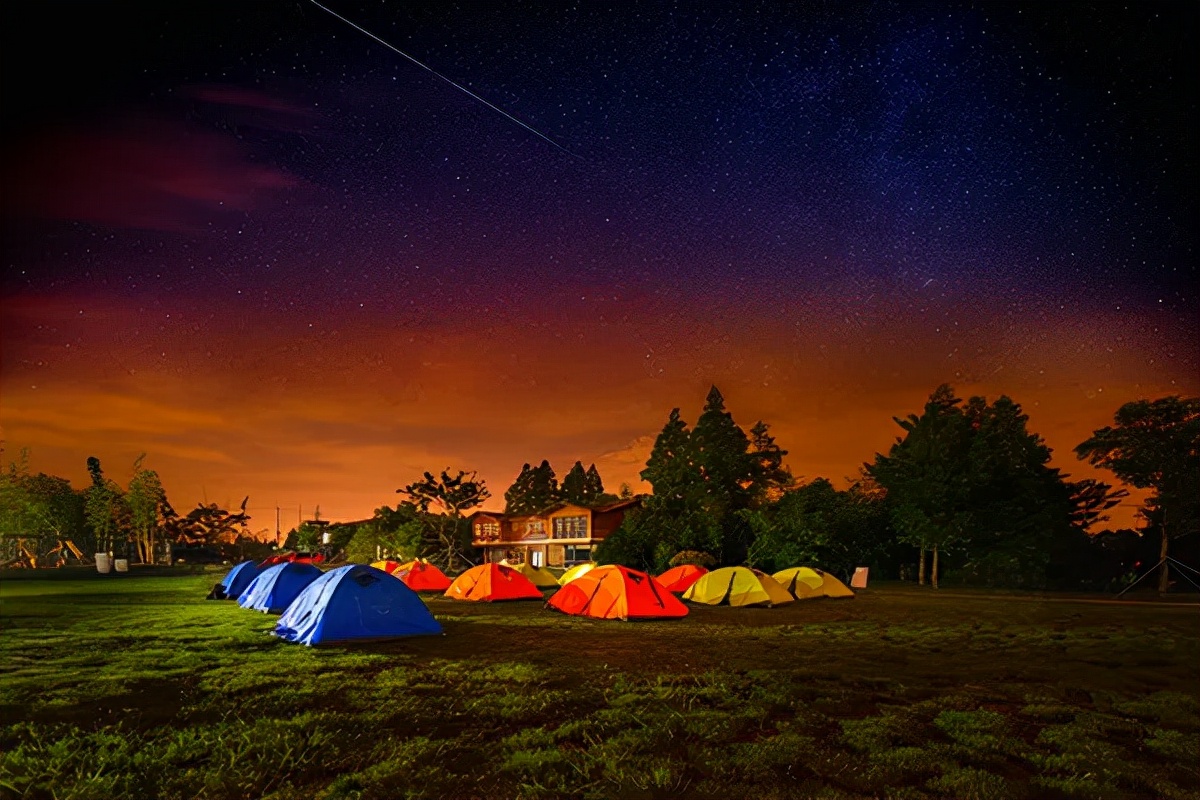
(617, 593)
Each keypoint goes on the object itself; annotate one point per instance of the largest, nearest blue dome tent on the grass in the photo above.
(356, 603)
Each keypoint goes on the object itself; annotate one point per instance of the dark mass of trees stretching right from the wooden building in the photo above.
(967, 491)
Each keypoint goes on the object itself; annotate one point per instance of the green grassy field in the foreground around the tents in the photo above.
(134, 687)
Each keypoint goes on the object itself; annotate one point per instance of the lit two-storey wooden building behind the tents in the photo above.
(562, 536)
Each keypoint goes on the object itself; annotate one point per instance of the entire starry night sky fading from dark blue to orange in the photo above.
(287, 262)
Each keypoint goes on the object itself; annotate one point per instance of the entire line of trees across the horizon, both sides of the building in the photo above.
(965, 492)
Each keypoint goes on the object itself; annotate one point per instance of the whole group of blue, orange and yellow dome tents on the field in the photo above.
(381, 601)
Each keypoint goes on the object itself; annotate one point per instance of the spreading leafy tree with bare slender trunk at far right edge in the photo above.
(1156, 446)
